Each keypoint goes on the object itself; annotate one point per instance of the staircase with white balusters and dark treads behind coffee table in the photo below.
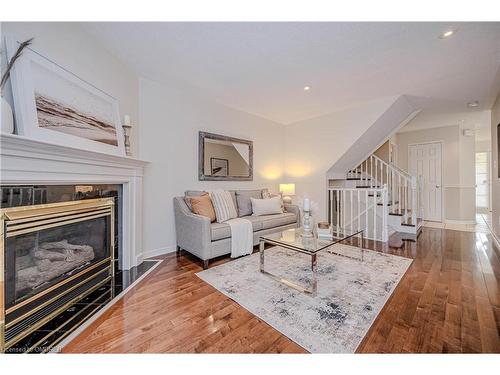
(377, 197)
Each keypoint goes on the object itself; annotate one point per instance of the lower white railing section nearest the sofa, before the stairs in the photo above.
(360, 209)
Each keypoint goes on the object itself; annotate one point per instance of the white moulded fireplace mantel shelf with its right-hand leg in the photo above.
(28, 161)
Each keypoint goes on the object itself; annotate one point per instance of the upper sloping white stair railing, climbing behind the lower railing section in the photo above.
(403, 189)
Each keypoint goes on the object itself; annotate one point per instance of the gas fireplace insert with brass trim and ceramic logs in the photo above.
(51, 257)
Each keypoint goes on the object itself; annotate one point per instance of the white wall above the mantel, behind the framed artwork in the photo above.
(71, 47)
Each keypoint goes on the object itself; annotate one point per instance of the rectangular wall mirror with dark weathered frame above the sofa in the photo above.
(222, 158)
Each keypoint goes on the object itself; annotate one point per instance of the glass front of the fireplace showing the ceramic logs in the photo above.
(41, 259)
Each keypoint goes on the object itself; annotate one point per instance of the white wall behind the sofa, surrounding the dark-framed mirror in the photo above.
(170, 119)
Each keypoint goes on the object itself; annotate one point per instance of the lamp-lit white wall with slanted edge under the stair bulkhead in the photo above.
(313, 146)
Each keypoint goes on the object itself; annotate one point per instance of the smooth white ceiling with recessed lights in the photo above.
(262, 68)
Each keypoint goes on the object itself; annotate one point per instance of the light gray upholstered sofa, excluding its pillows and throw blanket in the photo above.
(206, 240)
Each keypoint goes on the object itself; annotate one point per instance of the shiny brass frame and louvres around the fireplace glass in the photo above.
(19, 220)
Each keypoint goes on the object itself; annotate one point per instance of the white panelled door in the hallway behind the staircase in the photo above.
(424, 161)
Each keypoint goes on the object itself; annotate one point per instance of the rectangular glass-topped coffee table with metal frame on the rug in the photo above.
(293, 239)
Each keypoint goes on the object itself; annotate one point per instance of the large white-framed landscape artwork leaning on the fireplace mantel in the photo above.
(53, 105)
